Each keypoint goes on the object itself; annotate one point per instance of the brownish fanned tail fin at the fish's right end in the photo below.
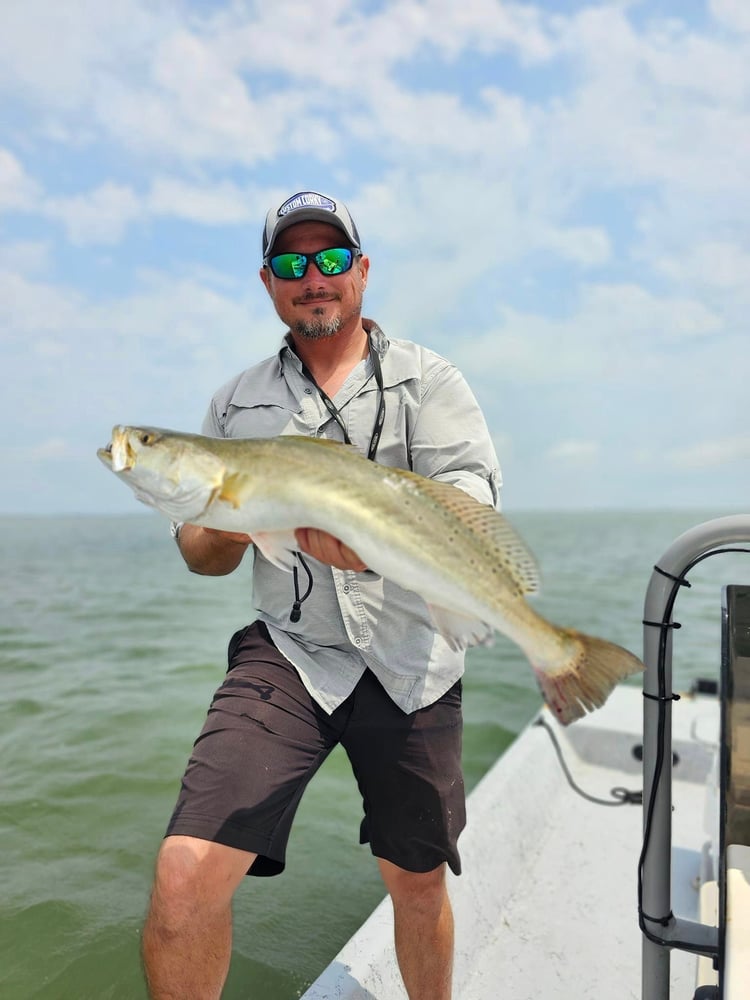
(586, 677)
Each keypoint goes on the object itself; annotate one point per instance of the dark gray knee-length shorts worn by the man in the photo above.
(265, 737)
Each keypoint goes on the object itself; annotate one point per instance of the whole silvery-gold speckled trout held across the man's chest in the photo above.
(462, 557)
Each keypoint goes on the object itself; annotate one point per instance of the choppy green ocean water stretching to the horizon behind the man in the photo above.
(109, 654)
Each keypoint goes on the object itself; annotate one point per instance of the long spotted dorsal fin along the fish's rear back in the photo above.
(498, 538)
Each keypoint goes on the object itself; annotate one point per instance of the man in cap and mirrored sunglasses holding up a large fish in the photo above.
(337, 655)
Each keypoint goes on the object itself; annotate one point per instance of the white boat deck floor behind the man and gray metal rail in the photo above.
(547, 905)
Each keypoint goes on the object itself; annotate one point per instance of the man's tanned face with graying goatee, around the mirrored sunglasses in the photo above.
(317, 305)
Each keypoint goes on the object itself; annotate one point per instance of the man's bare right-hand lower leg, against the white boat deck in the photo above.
(423, 921)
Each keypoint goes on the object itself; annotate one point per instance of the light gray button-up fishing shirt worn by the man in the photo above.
(353, 621)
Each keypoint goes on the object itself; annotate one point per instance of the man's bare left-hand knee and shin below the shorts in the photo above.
(187, 940)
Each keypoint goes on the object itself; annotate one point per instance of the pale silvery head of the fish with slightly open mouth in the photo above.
(165, 469)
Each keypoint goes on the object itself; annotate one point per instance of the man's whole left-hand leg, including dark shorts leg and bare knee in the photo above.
(260, 712)
